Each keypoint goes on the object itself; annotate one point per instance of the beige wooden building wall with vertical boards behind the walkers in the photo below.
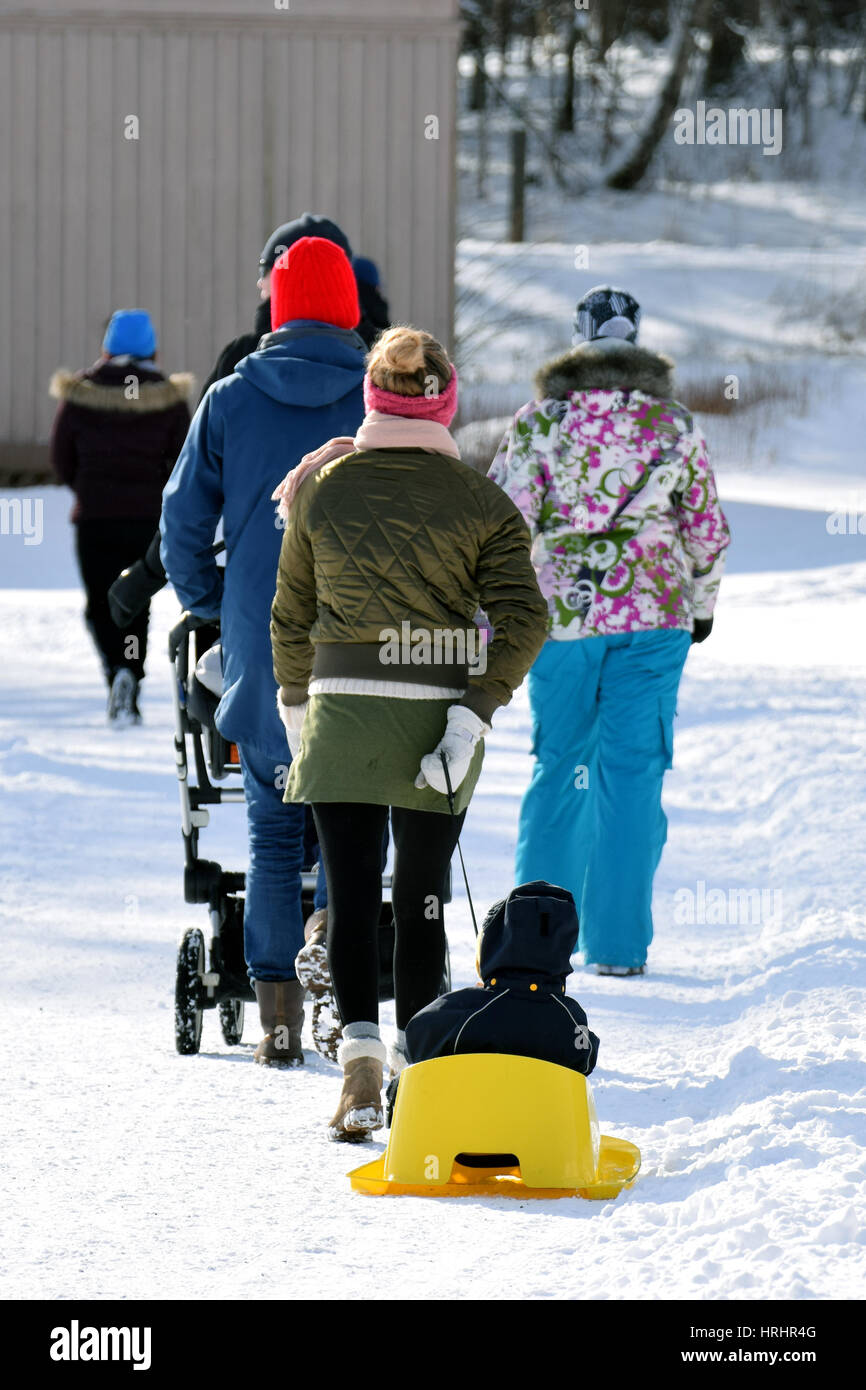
(248, 115)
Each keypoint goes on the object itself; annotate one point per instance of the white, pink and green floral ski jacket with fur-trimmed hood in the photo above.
(614, 480)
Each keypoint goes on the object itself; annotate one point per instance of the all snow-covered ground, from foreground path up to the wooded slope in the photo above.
(736, 1064)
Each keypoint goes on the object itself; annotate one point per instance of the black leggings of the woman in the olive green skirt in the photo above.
(351, 840)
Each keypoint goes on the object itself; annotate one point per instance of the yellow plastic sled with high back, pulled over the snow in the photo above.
(509, 1109)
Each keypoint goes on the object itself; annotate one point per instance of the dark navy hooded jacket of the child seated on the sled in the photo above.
(522, 1008)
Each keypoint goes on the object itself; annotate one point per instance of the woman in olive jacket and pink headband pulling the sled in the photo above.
(390, 548)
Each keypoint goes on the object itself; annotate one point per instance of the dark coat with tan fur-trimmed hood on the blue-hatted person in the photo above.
(115, 450)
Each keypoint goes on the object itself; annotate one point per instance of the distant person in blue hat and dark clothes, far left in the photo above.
(117, 433)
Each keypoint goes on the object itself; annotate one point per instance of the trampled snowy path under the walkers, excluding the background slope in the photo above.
(736, 1065)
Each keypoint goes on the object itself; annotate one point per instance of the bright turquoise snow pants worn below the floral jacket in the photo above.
(591, 819)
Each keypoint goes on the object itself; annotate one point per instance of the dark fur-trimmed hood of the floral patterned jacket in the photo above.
(607, 366)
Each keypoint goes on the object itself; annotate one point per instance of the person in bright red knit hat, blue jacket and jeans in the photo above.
(298, 390)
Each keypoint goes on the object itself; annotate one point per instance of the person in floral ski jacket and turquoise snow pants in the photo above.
(629, 544)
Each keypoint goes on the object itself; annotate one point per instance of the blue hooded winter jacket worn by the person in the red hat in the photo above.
(286, 400)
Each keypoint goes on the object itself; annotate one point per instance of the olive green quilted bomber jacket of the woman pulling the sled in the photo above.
(404, 540)
